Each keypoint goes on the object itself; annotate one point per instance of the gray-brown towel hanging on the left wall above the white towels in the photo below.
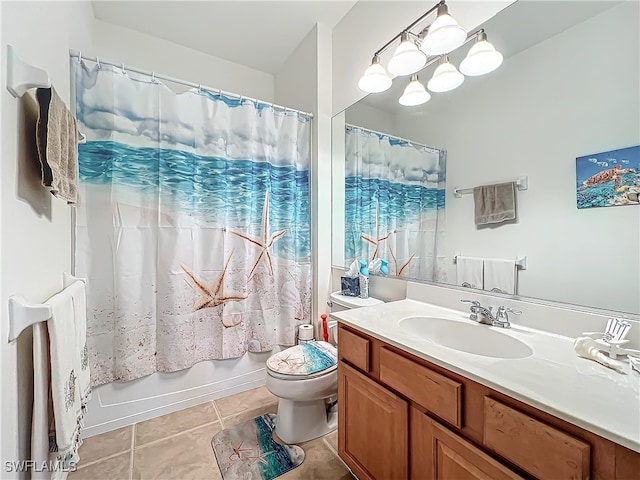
(57, 139)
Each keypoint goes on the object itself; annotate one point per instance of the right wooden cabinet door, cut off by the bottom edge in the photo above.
(439, 454)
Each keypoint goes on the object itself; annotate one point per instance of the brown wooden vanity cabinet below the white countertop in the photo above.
(401, 417)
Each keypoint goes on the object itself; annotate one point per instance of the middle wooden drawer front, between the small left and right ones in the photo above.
(437, 393)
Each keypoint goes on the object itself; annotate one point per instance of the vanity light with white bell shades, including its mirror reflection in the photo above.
(431, 44)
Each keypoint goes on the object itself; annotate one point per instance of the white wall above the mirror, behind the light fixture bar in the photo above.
(369, 25)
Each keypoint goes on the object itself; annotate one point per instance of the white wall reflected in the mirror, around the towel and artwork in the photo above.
(566, 97)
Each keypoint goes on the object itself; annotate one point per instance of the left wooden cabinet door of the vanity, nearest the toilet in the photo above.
(372, 427)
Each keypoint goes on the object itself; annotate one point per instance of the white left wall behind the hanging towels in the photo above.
(36, 227)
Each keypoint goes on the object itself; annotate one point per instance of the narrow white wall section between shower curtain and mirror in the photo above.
(302, 84)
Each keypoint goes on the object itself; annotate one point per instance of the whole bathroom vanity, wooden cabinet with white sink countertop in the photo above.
(410, 407)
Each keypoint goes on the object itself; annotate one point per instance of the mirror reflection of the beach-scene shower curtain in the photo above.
(394, 204)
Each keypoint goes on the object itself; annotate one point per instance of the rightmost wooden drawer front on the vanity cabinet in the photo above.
(539, 449)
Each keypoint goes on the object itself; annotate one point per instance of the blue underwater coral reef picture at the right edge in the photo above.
(609, 178)
